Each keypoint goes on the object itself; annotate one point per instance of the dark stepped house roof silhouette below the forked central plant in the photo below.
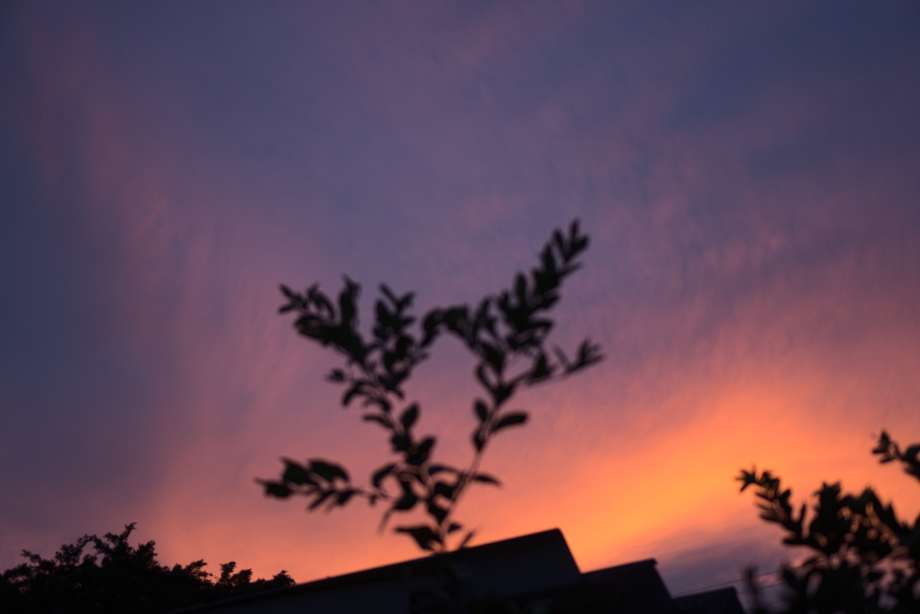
(533, 570)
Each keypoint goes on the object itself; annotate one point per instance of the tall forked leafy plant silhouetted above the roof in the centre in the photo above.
(506, 333)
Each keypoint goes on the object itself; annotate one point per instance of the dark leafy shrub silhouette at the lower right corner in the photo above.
(863, 558)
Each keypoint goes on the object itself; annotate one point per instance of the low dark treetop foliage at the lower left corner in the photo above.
(108, 575)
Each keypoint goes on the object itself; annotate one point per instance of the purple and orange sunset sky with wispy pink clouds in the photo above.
(749, 176)
